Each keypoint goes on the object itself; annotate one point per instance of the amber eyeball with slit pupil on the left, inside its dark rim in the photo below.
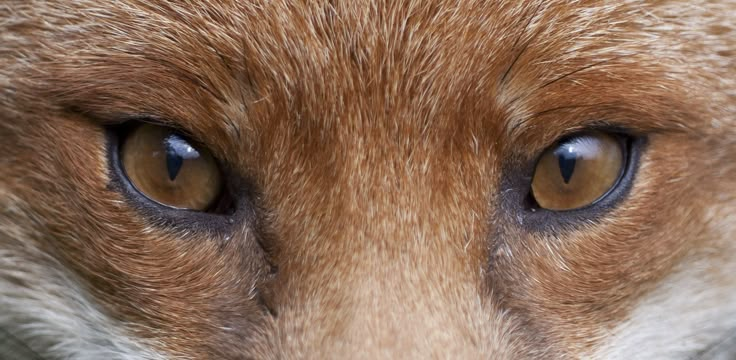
(169, 169)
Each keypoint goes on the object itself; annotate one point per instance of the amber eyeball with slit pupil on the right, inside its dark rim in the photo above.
(578, 171)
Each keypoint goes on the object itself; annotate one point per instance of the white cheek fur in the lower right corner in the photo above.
(691, 310)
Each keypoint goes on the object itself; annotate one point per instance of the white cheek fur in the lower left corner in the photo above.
(43, 306)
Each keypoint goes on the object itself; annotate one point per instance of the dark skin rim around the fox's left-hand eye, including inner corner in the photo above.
(233, 207)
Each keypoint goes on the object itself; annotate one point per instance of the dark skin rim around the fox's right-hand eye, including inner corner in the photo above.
(514, 199)
